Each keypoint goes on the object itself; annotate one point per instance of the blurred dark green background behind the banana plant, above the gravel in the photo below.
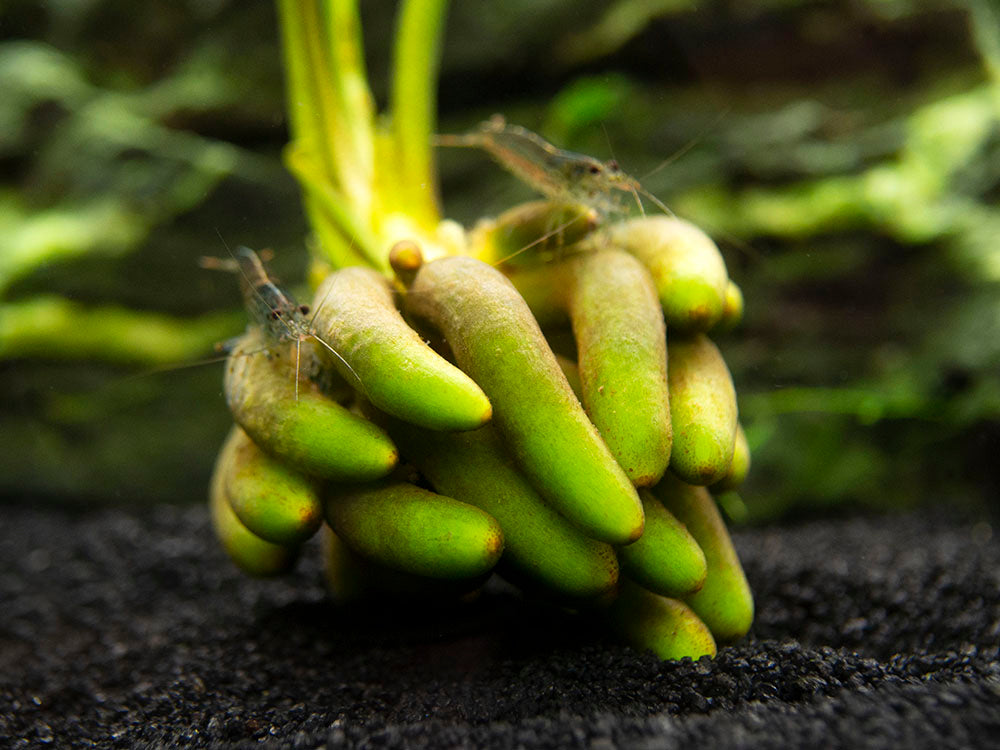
(845, 155)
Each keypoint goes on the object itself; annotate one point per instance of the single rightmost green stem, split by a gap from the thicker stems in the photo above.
(414, 103)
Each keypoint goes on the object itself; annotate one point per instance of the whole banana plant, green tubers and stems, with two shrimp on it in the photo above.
(423, 362)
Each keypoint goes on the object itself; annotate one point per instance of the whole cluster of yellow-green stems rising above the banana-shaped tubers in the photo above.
(364, 186)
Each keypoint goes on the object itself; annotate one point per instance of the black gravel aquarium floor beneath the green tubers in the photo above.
(131, 629)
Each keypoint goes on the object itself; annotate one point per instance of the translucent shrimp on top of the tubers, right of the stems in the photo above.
(556, 173)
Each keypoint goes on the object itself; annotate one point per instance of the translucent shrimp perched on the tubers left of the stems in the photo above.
(271, 308)
